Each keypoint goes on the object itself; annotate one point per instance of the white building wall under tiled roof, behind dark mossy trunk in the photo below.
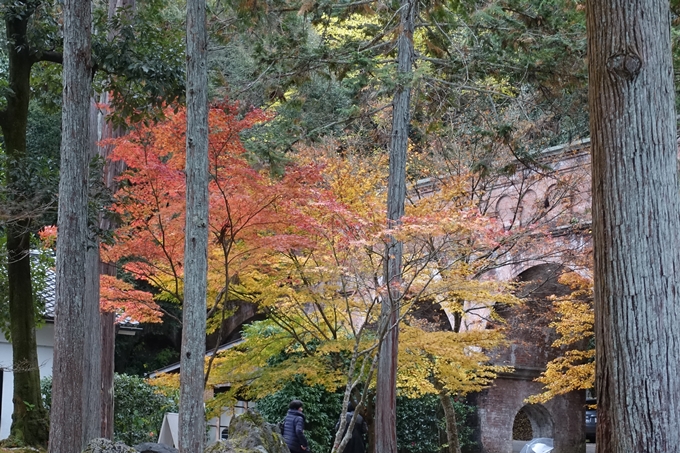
(45, 340)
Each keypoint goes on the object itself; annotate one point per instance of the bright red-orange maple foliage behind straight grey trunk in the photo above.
(244, 205)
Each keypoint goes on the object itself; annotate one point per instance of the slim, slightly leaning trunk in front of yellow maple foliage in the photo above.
(386, 396)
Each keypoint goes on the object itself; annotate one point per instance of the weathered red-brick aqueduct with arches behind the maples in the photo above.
(557, 193)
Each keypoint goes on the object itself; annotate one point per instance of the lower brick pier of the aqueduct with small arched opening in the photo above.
(528, 351)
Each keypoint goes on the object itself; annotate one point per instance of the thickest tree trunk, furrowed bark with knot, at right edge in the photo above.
(635, 225)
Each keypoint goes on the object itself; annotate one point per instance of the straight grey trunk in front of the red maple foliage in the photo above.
(191, 413)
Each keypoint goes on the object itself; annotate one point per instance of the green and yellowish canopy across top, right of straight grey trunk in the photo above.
(481, 67)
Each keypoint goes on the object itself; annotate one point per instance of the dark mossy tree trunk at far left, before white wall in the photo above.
(29, 419)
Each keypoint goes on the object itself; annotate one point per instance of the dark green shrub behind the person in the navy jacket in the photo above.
(321, 409)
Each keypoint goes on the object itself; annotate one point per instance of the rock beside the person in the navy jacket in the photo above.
(249, 433)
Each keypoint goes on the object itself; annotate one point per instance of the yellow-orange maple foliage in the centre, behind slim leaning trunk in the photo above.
(322, 296)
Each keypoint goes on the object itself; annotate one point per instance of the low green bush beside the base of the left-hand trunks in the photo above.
(138, 408)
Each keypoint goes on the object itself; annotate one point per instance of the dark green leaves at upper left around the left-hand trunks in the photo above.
(143, 68)
